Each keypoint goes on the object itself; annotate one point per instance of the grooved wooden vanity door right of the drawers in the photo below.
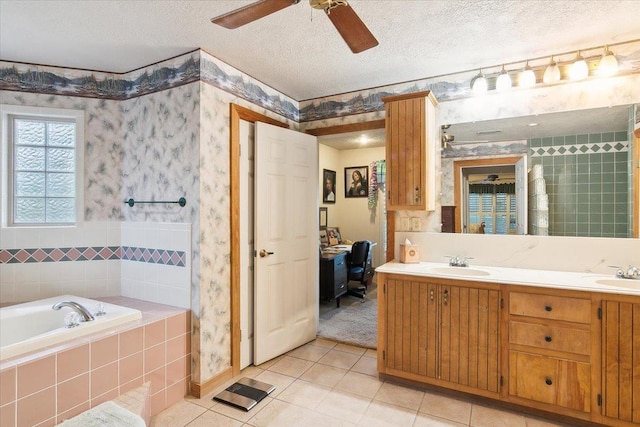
(621, 360)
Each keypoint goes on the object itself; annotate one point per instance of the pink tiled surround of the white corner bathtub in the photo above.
(46, 387)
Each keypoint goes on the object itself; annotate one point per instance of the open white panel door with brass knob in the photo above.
(286, 241)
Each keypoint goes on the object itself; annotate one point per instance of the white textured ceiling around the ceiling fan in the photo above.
(298, 51)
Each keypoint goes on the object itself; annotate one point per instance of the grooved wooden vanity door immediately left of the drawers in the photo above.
(469, 336)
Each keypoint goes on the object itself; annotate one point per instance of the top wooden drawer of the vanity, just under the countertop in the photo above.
(550, 307)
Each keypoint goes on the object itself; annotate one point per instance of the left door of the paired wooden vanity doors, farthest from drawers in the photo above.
(411, 328)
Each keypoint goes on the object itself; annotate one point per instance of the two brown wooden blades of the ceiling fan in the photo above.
(354, 32)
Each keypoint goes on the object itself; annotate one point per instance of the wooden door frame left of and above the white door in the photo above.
(238, 113)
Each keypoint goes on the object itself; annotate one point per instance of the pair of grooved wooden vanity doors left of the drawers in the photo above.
(435, 332)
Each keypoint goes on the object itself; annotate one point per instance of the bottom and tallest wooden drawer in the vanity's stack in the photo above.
(549, 380)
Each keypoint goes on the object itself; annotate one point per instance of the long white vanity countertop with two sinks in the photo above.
(579, 281)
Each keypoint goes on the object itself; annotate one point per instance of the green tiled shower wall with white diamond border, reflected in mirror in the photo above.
(587, 184)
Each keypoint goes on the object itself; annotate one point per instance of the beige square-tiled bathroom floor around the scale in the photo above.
(327, 384)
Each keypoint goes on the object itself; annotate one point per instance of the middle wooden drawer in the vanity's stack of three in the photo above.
(550, 337)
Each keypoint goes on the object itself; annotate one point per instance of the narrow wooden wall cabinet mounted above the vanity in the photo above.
(411, 136)
